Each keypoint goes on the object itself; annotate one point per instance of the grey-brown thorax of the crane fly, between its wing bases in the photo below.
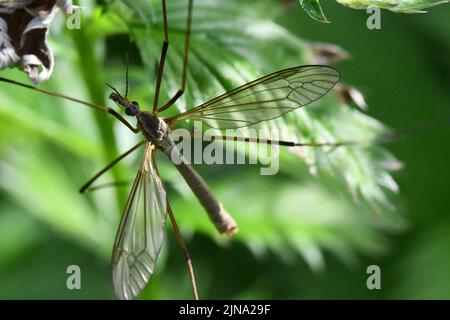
(155, 130)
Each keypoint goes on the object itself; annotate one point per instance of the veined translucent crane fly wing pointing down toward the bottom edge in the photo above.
(141, 231)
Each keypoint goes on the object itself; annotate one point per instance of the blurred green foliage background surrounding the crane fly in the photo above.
(302, 236)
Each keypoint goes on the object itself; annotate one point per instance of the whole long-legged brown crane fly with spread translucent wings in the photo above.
(142, 227)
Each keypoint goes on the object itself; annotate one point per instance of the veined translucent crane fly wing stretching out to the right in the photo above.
(264, 99)
